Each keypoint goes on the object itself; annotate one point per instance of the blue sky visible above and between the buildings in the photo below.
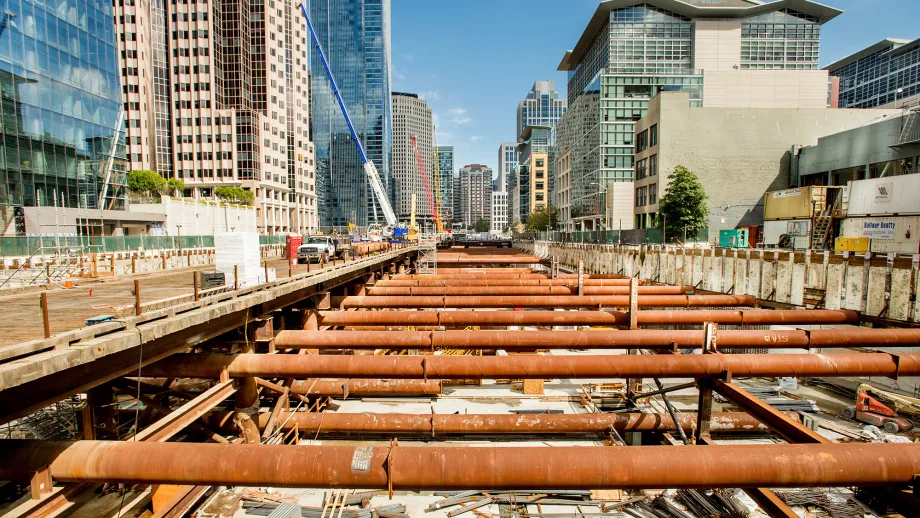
(473, 60)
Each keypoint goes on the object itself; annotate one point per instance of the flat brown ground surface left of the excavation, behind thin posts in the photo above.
(69, 308)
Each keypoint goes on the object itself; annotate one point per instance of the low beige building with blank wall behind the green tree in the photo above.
(738, 153)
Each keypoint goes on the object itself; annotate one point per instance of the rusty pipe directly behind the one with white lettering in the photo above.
(585, 318)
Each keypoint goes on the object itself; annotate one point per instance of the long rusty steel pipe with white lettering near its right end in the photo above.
(530, 340)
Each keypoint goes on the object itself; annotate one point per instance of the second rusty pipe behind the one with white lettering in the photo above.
(549, 301)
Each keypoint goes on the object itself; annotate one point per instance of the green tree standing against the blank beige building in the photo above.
(683, 209)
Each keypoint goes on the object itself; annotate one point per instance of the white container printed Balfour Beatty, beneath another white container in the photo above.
(886, 234)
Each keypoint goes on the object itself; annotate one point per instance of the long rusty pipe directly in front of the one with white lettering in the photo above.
(205, 365)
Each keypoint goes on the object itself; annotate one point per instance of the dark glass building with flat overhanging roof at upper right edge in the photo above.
(883, 75)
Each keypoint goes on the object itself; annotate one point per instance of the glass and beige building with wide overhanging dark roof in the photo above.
(751, 53)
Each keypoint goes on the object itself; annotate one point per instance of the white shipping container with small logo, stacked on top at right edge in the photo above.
(892, 195)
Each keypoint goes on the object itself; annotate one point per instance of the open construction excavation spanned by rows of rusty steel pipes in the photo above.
(473, 381)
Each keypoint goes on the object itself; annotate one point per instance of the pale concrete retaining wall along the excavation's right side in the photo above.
(876, 285)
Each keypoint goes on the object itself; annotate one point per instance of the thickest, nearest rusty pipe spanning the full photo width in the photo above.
(463, 467)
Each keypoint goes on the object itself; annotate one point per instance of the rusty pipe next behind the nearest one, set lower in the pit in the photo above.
(336, 422)
